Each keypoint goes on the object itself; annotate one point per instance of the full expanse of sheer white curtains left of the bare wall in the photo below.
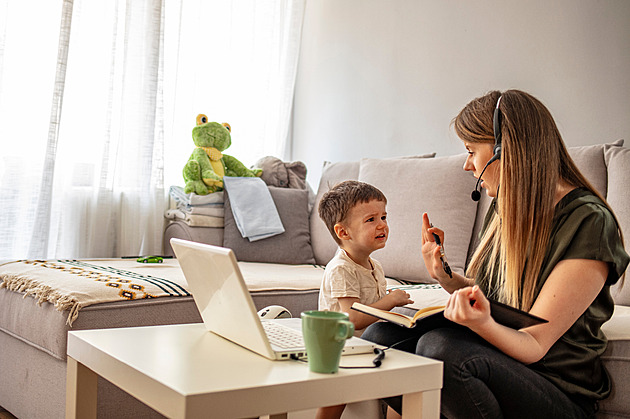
(97, 102)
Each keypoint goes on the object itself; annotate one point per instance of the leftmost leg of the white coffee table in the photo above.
(80, 391)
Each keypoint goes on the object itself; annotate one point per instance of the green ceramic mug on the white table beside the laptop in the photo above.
(325, 334)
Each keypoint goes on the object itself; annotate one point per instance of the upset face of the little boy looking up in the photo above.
(366, 228)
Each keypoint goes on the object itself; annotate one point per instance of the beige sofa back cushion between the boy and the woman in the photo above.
(437, 186)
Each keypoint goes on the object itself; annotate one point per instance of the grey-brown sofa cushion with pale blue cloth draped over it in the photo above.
(292, 247)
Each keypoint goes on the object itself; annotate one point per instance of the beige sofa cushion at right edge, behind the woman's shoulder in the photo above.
(618, 197)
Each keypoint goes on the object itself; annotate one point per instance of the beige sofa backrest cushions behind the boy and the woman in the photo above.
(440, 187)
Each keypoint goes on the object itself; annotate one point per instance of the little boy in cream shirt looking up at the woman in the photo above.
(355, 215)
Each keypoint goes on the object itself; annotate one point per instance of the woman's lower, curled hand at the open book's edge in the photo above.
(468, 307)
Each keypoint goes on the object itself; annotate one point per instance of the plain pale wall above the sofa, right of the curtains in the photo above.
(385, 78)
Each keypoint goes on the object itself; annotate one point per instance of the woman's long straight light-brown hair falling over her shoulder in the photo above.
(533, 160)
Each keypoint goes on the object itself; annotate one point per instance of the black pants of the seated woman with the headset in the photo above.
(479, 380)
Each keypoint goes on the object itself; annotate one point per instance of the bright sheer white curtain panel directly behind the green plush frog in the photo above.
(236, 63)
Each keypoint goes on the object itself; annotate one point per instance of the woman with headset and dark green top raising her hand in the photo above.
(550, 246)
